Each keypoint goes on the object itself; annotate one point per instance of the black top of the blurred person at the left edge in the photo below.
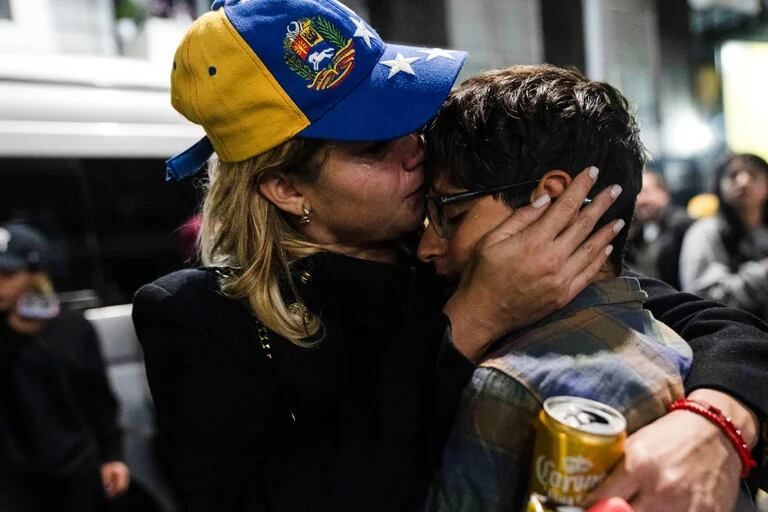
(58, 414)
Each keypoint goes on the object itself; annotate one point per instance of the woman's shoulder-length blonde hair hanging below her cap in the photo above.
(246, 233)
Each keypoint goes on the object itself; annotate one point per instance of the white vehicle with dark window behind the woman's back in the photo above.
(82, 144)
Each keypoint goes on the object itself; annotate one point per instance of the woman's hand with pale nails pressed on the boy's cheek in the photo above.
(532, 264)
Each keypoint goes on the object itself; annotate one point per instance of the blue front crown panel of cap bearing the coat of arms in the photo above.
(309, 46)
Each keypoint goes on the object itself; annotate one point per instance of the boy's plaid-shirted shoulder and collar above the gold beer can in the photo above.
(607, 348)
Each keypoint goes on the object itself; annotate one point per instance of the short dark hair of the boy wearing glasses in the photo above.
(515, 124)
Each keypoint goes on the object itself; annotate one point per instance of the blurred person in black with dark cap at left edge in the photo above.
(59, 440)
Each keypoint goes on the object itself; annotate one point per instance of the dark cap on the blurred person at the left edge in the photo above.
(22, 248)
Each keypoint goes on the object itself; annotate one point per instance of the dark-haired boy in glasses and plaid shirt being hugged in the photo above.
(502, 139)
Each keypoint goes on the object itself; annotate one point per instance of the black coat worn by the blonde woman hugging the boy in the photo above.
(372, 403)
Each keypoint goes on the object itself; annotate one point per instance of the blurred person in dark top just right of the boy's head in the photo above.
(656, 235)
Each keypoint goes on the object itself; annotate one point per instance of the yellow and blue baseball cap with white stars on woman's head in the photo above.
(254, 73)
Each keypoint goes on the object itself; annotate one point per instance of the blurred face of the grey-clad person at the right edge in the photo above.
(744, 186)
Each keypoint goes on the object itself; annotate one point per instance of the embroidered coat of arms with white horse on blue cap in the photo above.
(317, 51)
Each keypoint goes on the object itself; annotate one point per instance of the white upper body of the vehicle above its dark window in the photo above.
(82, 106)
